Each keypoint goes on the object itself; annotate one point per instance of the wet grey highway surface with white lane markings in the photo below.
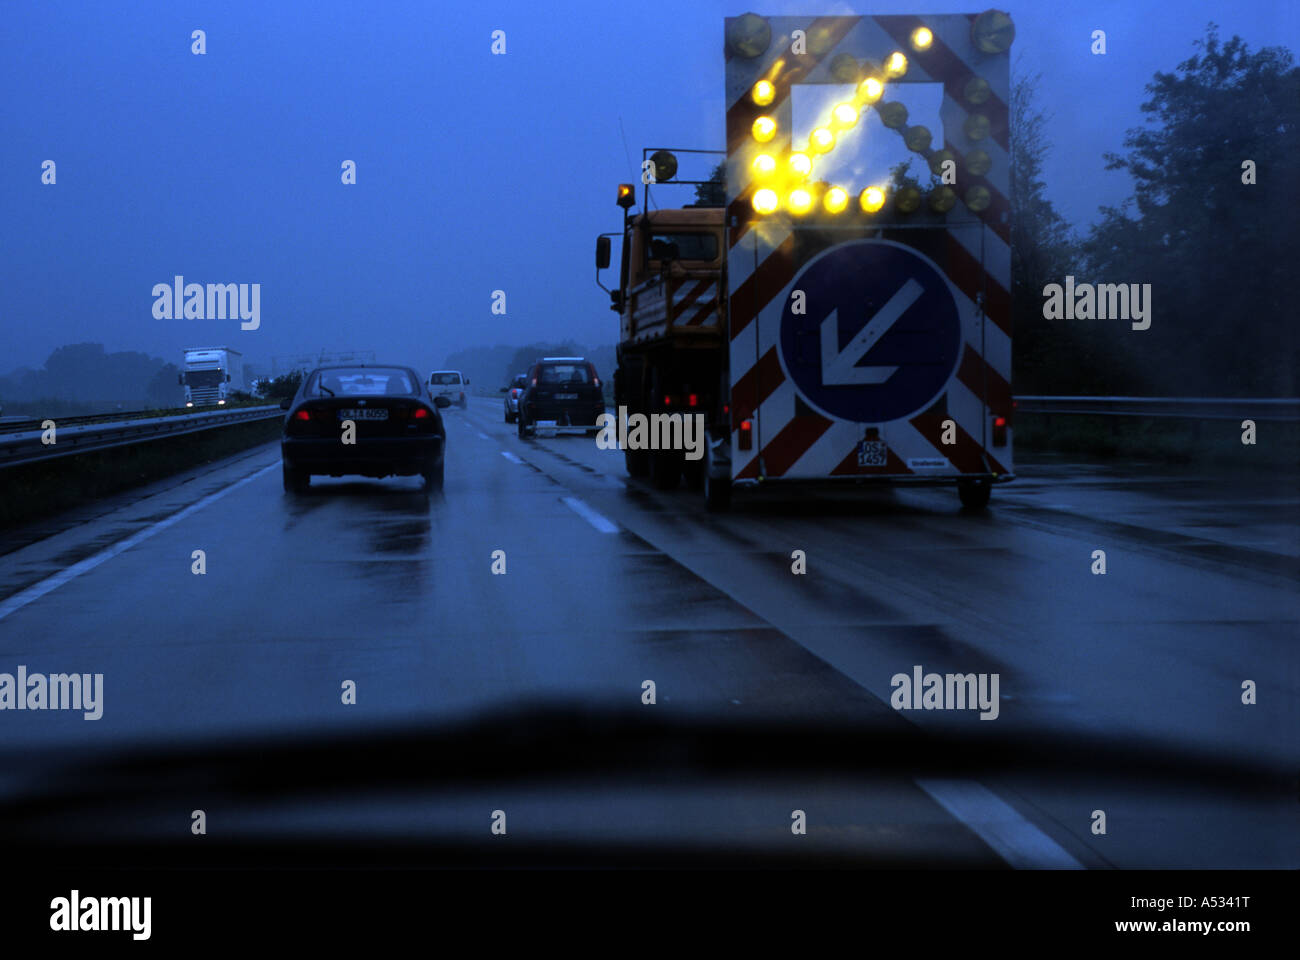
(610, 583)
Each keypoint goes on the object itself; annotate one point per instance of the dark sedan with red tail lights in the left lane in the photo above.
(398, 429)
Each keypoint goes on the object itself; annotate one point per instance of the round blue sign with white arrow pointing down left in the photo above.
(881, 335)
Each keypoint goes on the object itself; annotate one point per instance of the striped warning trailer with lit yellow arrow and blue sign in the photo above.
(868, 235)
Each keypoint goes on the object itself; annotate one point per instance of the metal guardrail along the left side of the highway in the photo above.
(27, 447)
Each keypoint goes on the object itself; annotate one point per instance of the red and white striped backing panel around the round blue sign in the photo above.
(969, 248)
